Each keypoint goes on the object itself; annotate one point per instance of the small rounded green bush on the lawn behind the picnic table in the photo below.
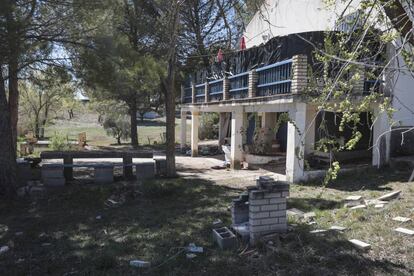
(118, 126)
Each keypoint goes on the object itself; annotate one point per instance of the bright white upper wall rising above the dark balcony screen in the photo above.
(283, 17)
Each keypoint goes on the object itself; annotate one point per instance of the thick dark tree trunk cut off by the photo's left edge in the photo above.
(8, 166)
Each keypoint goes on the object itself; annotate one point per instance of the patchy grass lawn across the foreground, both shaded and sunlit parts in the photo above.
(157, 219)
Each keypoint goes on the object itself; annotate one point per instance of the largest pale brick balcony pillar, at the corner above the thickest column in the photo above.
(300, 74)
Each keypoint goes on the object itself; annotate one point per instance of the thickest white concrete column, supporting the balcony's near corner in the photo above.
(295, 144)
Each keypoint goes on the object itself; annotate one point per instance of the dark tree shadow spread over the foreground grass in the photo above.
(73, 231)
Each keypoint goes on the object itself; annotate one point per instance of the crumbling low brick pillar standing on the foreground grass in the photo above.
(267, 208)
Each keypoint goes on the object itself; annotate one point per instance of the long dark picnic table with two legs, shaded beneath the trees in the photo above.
(68, 156)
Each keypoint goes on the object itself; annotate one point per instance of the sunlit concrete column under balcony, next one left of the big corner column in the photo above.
(236, 139)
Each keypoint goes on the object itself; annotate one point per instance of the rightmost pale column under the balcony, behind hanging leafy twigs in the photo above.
(381, 139)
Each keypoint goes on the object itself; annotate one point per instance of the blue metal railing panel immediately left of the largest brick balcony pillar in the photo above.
(275, 79)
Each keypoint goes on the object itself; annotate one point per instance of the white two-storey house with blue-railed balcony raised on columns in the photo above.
(267, 81)
